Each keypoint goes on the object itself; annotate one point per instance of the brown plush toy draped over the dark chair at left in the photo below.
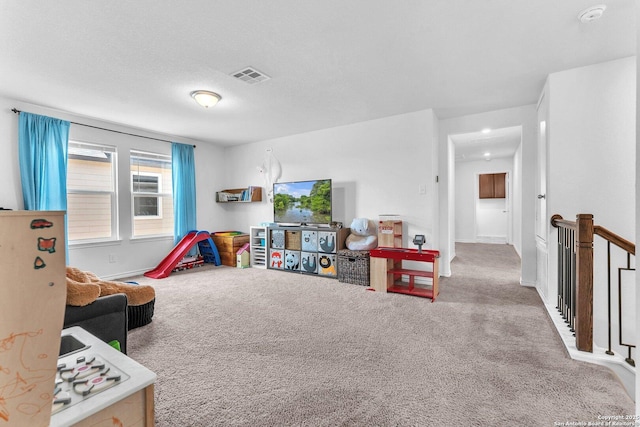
(84, 287)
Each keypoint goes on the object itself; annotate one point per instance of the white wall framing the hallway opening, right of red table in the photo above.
(524, 182)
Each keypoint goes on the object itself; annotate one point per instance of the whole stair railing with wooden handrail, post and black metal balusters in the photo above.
(575, 278)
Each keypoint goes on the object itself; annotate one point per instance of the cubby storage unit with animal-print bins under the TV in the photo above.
(310, 250)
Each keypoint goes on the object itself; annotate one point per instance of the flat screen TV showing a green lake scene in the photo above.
(302, 202)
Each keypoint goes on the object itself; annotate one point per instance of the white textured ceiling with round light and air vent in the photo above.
(331, 62)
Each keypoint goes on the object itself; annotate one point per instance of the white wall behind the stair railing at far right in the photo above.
(591, 167)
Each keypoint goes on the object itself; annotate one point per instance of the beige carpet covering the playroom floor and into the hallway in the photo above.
(254, 347)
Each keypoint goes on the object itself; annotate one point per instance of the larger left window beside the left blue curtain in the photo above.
(91, 192)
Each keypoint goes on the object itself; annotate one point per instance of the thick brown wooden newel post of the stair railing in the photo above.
(584, 282)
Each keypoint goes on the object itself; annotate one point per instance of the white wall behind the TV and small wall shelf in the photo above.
(376, 167)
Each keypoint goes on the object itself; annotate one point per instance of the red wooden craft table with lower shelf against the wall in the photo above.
(387, 271)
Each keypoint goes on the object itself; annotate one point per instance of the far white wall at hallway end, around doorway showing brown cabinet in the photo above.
(466, 194)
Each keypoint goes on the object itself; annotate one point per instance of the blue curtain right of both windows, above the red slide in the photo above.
(183, 170)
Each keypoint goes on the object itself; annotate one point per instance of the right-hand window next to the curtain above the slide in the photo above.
(151, 193)
